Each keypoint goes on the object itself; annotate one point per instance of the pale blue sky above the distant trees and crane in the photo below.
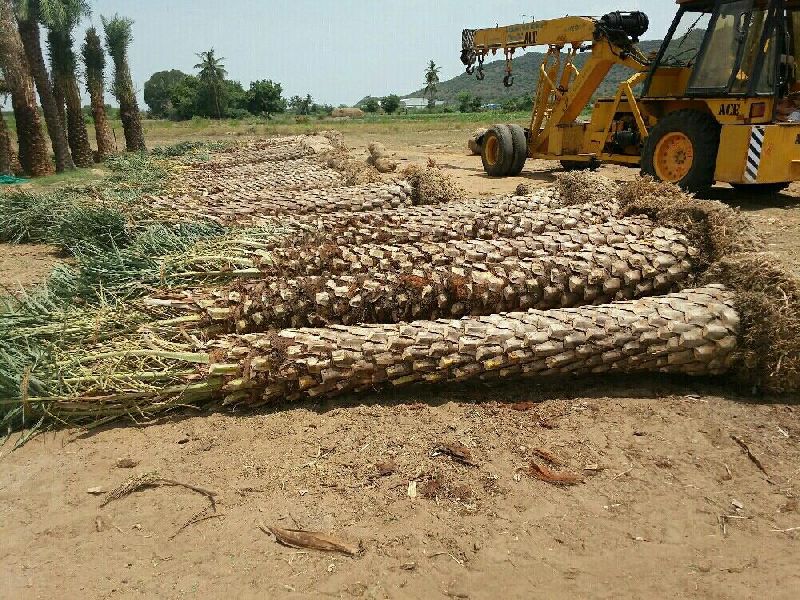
(336, 50)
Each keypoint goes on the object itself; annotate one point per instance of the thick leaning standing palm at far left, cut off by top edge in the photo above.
(33, 153)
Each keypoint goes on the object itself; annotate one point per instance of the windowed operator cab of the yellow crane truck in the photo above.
(737, 48)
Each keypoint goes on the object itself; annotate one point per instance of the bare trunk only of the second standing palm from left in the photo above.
(31, 40)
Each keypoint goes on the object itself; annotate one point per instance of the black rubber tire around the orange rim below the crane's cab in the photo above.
(703, 131)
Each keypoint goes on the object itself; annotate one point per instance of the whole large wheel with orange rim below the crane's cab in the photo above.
(682, 149)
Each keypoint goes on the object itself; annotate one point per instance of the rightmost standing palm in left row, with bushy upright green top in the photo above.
(118, 37)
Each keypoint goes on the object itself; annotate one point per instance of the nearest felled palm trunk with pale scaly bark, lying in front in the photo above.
(693, 332)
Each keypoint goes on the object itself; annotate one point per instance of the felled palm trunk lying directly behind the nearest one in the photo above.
(656, 264)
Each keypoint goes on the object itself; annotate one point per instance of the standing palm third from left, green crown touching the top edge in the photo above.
(64, 66)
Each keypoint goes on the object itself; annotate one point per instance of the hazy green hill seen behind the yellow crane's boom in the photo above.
(526, 76)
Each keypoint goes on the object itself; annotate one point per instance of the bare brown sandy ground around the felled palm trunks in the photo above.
(670, 504)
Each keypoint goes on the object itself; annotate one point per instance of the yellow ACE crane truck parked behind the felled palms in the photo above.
(718, 101)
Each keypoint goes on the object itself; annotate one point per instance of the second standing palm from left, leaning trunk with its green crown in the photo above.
(29, 14)
